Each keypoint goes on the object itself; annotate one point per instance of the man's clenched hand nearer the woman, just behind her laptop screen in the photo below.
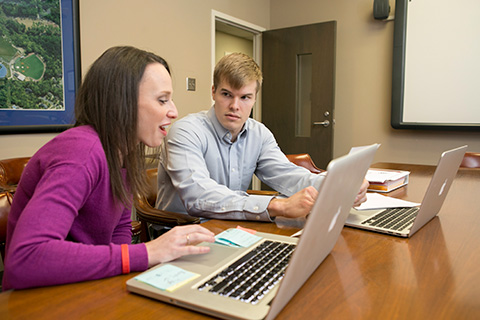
(298, 205)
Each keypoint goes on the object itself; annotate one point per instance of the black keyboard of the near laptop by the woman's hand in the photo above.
(251, 277)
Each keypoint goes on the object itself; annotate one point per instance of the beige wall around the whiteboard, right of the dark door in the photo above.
(363, 81)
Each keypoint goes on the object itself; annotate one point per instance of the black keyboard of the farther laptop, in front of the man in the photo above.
(393, 218)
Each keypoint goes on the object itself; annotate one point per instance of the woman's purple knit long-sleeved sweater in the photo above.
(64, 225)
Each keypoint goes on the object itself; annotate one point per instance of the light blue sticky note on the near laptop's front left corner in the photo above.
(167, 277)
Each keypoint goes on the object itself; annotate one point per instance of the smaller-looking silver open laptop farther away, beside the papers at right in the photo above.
(404, 222)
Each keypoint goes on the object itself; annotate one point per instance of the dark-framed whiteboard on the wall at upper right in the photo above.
(436, 65)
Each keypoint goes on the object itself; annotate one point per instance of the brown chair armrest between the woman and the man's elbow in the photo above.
(147, 213)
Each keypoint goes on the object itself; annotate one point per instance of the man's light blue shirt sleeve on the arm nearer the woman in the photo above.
(199, 193)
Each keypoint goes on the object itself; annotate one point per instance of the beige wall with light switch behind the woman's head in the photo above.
(178, 30)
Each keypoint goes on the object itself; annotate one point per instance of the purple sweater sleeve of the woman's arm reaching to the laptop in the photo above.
(40, 252)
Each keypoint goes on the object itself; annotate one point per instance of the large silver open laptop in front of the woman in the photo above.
(209, 294)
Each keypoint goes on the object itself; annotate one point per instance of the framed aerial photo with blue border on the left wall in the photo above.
(53, 115)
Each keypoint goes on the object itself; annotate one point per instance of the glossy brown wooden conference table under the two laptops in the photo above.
(433, 275)
